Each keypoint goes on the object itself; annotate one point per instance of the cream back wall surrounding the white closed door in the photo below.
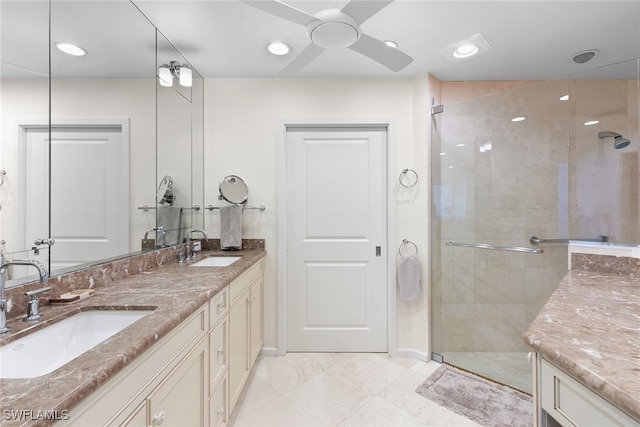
(241, 137)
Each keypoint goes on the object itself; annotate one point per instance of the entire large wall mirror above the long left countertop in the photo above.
(89, 181)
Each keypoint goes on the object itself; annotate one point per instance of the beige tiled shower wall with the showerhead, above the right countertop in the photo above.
(604, 191)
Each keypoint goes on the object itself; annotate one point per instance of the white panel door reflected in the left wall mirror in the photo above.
(89, 195)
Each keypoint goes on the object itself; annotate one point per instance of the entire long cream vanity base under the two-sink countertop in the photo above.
(194, 375)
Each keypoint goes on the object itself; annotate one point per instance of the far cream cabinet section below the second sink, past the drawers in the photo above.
(245, 328)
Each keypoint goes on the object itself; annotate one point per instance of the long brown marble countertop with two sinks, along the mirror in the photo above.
(175, 290)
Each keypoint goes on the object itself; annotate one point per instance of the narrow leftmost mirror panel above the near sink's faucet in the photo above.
(24, 101)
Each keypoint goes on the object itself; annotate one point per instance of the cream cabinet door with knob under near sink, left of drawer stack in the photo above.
(181, 399)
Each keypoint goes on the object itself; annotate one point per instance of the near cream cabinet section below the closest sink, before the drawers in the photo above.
(167, 382)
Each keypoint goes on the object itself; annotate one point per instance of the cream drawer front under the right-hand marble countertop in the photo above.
(573, 404)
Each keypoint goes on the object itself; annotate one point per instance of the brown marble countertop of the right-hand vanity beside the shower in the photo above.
(590, 328)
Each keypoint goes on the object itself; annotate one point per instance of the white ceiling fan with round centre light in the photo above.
(337, 29)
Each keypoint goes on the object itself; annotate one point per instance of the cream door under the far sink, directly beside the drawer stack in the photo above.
(238, 347)
